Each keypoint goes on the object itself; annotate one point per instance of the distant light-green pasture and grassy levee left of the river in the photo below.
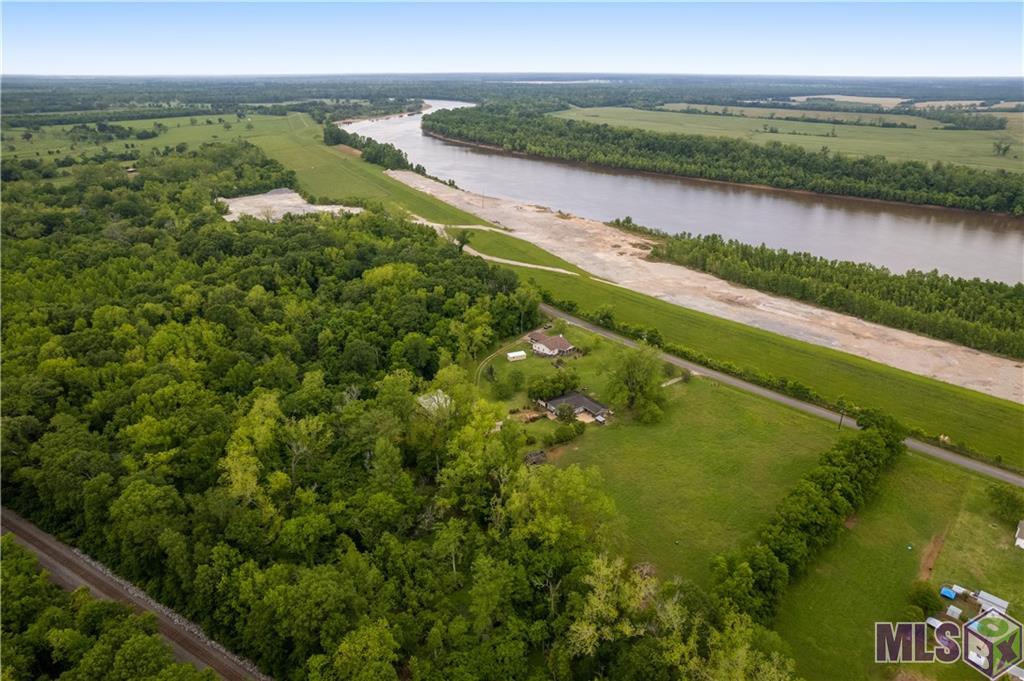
(295, 141)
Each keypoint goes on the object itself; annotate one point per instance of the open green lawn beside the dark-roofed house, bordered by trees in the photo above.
(705, 480)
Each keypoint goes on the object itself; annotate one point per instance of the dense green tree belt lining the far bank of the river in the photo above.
(524, 127)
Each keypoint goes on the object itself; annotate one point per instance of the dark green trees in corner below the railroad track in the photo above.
(51, 634)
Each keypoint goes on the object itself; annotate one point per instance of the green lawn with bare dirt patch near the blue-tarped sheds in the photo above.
(828, 616)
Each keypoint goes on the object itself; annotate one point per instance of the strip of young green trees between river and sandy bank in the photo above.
(983, 315)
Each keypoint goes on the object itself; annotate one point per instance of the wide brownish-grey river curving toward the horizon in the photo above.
(899, 237)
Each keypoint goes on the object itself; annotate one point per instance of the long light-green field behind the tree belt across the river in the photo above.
(973, 148)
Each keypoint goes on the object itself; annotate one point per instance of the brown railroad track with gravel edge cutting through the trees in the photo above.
(71, 571)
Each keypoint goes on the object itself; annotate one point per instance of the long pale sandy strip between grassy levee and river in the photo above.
(620, 258)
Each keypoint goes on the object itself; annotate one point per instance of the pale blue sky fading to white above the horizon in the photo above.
(835, 39)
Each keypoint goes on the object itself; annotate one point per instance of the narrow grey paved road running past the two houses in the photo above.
(915, 445)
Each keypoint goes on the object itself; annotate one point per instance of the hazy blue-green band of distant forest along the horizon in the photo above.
(34, 94)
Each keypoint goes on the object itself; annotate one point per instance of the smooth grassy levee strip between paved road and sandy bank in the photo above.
(990, 425)
